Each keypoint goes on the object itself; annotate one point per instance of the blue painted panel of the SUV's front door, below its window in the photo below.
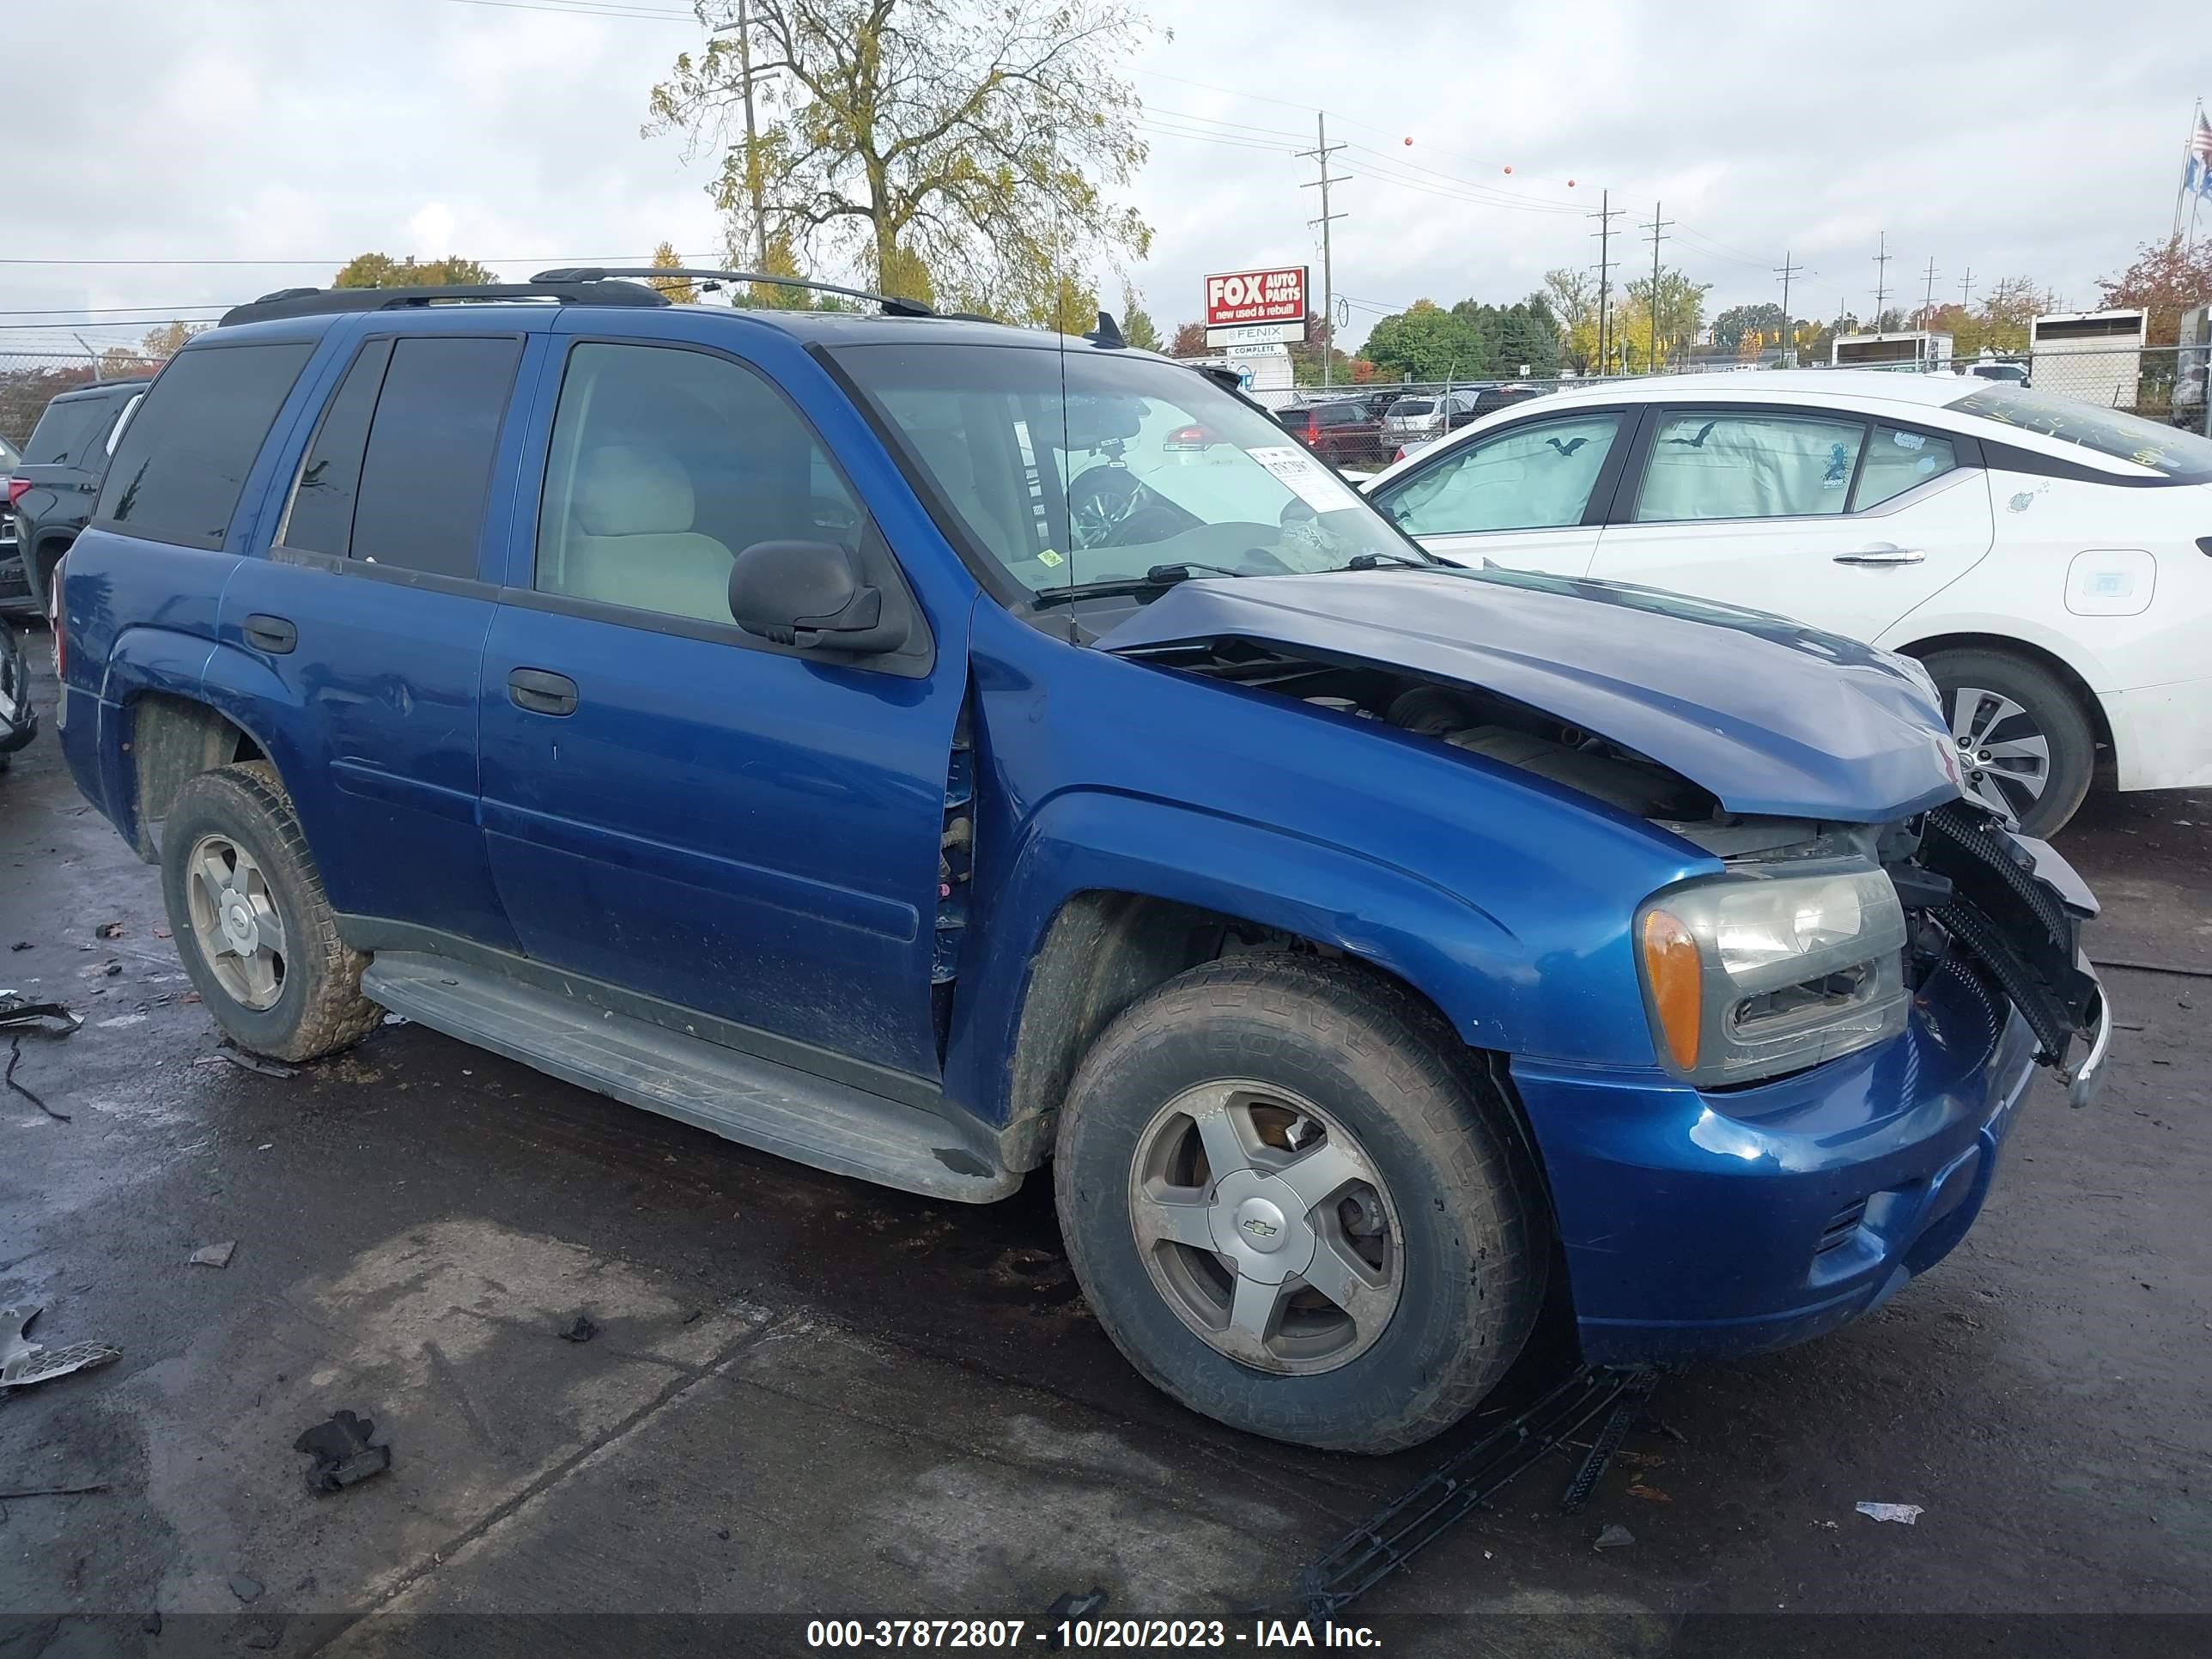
(722, 828)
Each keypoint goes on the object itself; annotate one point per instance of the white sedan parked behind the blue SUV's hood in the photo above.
(2047, 561)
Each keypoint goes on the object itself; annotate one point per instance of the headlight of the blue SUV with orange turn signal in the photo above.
(1764, 972)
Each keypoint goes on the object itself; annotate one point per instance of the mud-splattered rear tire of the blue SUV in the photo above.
(313, 1005)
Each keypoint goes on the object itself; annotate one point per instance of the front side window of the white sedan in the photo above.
(1536, 477)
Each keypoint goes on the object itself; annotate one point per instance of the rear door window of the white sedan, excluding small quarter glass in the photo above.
(1749, 466)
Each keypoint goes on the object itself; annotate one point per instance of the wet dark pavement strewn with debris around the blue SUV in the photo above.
(820, 1399)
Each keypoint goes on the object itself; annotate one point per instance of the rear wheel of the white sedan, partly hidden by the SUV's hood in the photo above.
(2030, 744)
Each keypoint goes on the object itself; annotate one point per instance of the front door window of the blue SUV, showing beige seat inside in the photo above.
(669, 463)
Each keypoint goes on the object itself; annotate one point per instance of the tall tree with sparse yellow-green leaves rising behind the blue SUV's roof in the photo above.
(946, 147)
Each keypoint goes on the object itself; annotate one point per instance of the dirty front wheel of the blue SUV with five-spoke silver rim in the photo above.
(1297, 1207)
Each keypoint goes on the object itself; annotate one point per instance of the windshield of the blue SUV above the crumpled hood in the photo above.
(1087, 468)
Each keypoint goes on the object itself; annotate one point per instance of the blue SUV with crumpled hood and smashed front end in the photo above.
(935, 751)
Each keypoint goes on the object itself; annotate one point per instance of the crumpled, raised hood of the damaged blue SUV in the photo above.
(1773, 718)
